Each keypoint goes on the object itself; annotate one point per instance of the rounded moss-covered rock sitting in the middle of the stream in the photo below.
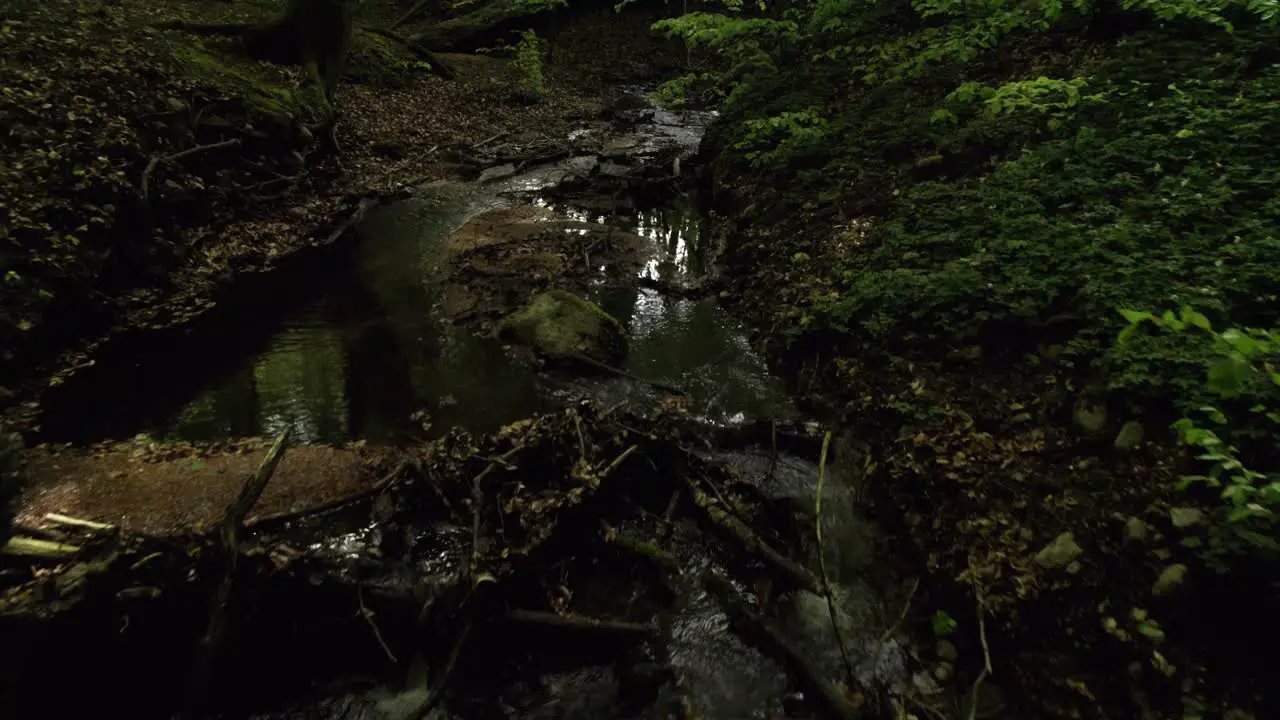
(561, 325)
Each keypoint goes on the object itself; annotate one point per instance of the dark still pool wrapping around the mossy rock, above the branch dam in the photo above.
(353, 350)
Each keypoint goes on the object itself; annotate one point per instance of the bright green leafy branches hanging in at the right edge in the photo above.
(1235, 434)
